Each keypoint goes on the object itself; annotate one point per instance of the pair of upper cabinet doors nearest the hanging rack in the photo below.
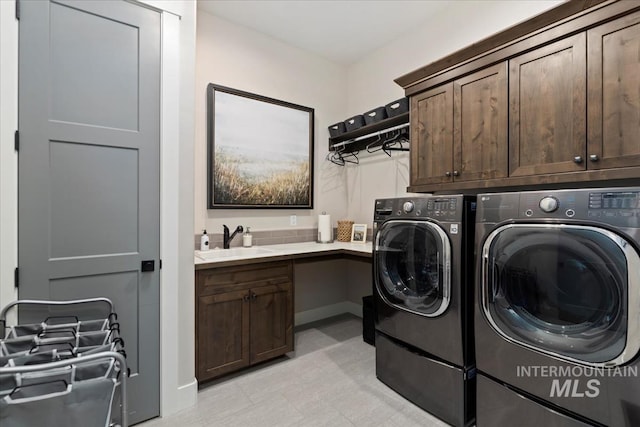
(459, 129)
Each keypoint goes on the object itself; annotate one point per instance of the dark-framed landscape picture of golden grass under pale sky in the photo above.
(259, 151)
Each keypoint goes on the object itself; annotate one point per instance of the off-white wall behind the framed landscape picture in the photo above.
(240, 58)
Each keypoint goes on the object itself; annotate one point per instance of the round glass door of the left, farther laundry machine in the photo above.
(412, 266)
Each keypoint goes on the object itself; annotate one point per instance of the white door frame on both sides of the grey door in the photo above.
(178, 386)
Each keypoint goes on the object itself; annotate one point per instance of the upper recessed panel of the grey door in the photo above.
(87, 92)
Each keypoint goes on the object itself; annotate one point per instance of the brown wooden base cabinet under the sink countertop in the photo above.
(244, 315)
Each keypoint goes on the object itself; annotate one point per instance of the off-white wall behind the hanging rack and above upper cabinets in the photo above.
(370, 83)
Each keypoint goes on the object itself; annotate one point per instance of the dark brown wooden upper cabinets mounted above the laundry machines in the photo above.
(553, 101)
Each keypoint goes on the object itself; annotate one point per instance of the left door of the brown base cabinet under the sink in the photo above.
(223, 333)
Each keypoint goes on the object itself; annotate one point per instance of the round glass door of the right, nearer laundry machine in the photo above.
(568, 291)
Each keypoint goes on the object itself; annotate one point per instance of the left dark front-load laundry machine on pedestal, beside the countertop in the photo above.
(423, 250)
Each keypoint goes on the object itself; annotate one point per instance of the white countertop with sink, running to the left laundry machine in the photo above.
(270, 251)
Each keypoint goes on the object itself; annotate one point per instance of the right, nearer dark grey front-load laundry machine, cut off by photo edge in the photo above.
(557, 312)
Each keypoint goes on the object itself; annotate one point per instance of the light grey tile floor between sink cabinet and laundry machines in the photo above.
(328, 381)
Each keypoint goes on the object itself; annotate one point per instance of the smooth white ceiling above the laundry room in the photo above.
(341, 31)
